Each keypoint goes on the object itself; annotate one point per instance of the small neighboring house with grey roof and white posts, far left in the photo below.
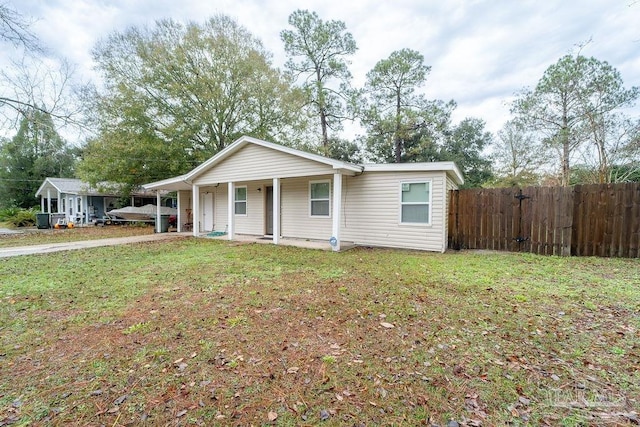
(76, 201)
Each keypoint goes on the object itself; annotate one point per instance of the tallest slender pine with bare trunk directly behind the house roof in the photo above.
(317, 53)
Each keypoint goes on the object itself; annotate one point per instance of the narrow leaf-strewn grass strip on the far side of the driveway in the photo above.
(38, 237)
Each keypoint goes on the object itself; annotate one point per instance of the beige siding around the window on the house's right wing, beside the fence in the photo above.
(371, 211)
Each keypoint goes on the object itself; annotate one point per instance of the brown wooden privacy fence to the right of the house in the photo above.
(584, 220)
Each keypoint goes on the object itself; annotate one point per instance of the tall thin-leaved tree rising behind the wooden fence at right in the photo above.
(570, 105)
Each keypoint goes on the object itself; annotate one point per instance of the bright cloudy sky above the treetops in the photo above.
(480, 51)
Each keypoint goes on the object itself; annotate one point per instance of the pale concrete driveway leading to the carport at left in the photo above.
(84, 244)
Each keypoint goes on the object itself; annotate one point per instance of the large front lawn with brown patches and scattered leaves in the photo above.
(204, 332)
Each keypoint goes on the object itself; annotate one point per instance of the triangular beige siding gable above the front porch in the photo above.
(254, 162)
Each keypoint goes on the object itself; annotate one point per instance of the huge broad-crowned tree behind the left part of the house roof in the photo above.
(175, 95)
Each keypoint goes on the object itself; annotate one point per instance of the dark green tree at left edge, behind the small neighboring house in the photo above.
(36, 152)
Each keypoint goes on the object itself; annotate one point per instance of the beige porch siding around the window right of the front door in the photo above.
(297, 221)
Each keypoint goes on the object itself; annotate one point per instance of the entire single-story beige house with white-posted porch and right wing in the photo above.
(260, 188)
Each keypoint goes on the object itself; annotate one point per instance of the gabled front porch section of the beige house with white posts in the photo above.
(256, 188)
